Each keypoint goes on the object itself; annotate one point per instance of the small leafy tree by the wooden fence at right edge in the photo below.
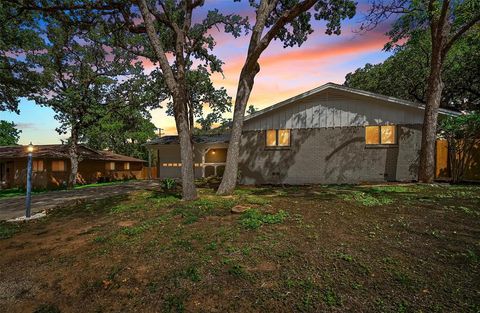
(463, 136)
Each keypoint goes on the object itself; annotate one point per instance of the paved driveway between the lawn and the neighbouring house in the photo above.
(15, 207)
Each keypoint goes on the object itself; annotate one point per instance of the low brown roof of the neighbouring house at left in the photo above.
(61, 152)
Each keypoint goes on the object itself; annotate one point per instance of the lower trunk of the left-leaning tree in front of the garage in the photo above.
(189, 191)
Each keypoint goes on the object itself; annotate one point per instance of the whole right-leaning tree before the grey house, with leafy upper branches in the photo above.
(289, 22)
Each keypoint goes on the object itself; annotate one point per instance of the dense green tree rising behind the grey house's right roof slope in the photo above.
(404, 75)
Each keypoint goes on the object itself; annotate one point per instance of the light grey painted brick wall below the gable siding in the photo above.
(330, 155)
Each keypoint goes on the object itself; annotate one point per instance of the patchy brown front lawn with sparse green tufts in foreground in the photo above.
(412, 248)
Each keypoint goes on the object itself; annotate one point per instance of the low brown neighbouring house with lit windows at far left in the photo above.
(51, 166)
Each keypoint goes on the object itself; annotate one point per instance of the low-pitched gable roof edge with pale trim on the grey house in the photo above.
(349, 90)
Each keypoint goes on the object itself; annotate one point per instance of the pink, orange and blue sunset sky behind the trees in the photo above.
(285, 72)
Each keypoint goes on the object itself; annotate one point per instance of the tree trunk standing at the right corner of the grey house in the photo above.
(429, 130)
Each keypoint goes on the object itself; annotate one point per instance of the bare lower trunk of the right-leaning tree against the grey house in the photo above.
(229, 180)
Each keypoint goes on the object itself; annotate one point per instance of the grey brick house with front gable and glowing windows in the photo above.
(331, 134)
